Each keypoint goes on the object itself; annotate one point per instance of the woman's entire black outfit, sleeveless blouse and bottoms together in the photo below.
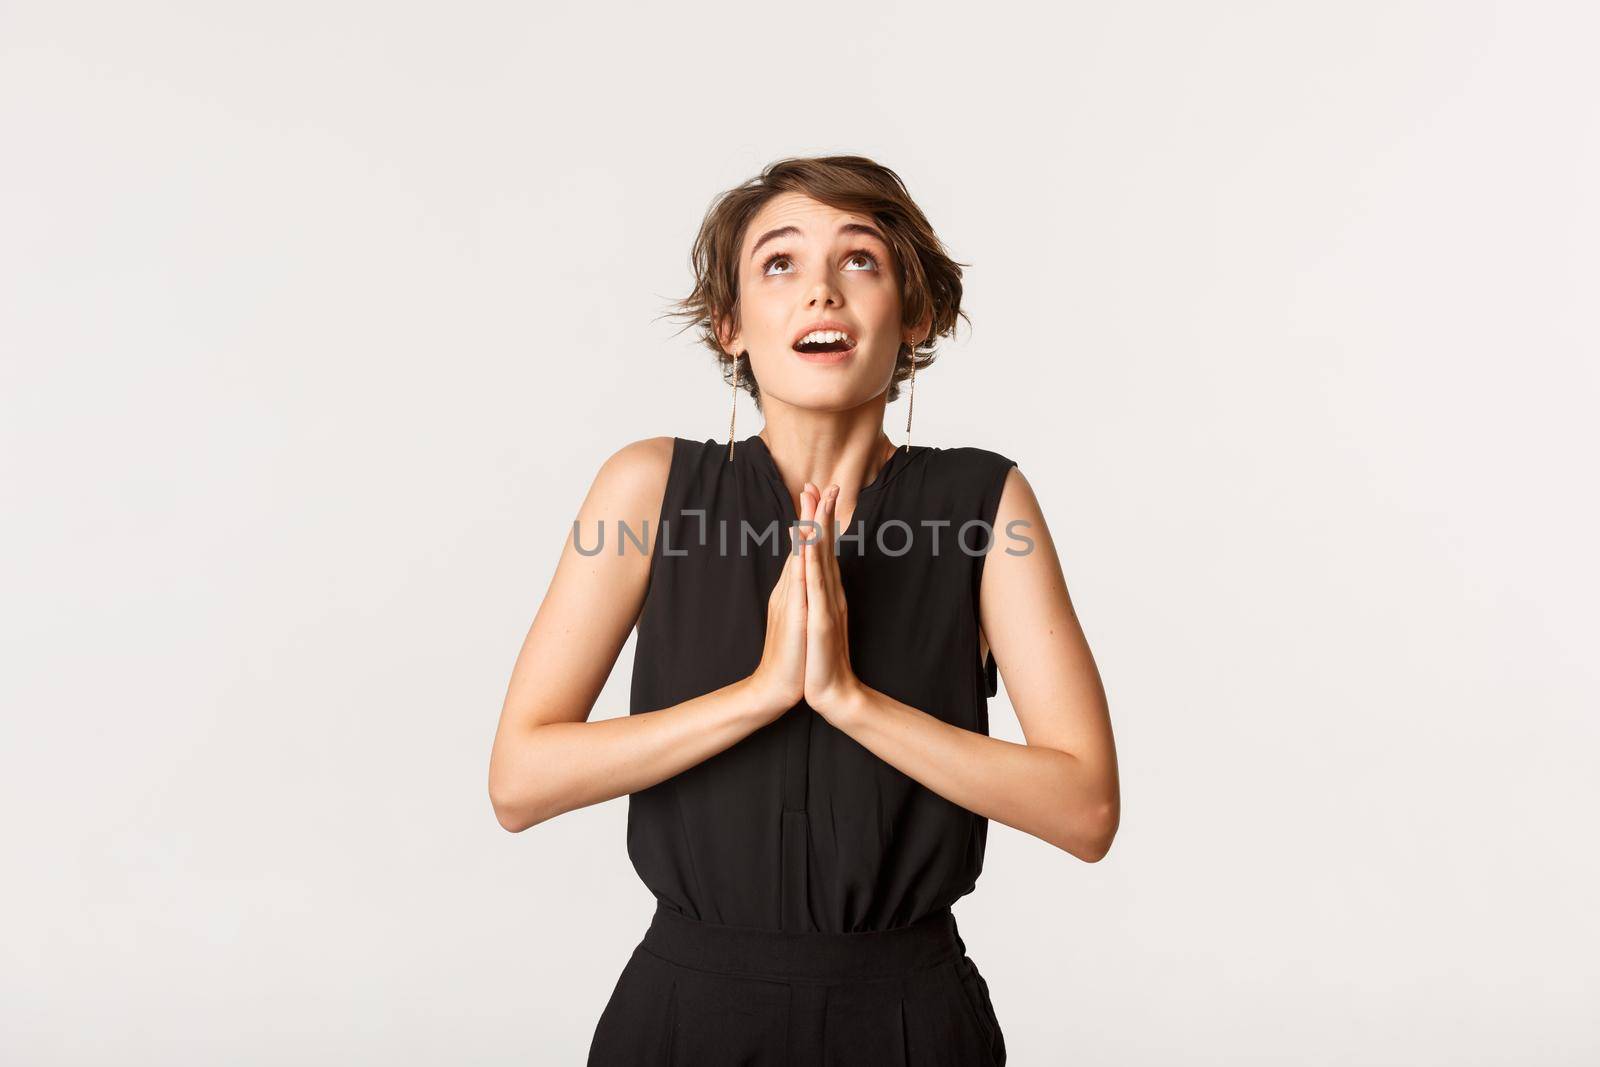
(798, 858)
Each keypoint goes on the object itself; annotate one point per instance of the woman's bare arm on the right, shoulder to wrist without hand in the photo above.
(1062, 786)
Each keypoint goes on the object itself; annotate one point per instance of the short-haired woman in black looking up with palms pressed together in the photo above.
(807, 759)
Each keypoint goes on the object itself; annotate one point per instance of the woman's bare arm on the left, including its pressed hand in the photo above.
(548, 759)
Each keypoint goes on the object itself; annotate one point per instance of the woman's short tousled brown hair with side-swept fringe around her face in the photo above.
(850, 183)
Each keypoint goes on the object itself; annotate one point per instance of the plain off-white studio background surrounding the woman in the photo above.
(319, 319)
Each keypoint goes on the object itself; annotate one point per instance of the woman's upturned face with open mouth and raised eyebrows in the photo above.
(806, 266)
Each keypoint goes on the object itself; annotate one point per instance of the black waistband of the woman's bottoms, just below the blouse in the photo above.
(788, 954)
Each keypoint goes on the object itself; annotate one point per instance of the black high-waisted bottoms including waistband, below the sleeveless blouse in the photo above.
(702, 994)
